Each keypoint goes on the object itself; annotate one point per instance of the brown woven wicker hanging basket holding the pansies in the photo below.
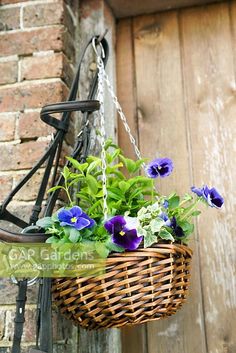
(138, 286)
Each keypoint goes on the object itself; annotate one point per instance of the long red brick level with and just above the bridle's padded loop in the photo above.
(31, 95)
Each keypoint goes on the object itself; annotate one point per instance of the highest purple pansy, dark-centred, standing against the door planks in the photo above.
(159, 167)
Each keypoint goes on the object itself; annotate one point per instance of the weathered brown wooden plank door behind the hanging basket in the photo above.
(176, 83)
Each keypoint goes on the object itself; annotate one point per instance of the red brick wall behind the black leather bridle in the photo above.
(36, 65)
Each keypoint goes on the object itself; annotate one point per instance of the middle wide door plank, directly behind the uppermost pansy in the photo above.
(163, 132)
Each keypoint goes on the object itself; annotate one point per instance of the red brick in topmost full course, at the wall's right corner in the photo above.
(43, 14)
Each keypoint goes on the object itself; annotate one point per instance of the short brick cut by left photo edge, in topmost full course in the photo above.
(9, 18)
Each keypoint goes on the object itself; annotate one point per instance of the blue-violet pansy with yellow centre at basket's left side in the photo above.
(75, 217)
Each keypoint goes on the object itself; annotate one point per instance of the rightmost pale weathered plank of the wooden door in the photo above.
(209, 76)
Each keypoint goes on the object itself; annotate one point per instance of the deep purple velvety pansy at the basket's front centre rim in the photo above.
(123, 231)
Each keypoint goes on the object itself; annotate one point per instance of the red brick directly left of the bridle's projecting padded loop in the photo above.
(31, 126)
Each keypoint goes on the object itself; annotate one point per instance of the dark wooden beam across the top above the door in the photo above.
(124, 8)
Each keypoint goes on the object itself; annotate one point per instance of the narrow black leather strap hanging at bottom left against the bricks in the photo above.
(20, 315)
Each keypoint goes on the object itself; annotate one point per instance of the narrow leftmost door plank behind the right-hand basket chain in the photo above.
(132, 338)
